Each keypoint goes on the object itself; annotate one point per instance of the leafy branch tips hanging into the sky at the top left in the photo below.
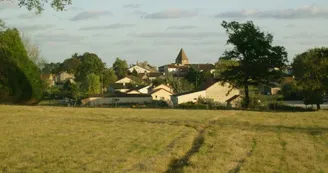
(38, 5)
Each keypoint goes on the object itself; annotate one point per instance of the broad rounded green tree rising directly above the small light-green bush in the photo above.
(90, 63)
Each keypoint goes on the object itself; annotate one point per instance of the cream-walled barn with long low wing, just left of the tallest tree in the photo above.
(214, 91)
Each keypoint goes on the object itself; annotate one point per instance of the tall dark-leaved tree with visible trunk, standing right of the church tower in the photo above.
(256, 56)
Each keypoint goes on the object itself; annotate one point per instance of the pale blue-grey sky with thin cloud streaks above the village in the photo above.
(155, 31)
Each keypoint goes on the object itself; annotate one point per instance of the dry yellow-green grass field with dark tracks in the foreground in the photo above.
(57, 139)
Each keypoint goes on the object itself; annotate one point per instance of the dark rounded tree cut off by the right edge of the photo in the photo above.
(311, 73)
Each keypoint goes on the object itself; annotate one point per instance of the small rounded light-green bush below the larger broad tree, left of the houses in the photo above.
(92, 84)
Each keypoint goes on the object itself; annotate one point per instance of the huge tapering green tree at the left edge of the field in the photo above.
(20, 80)
